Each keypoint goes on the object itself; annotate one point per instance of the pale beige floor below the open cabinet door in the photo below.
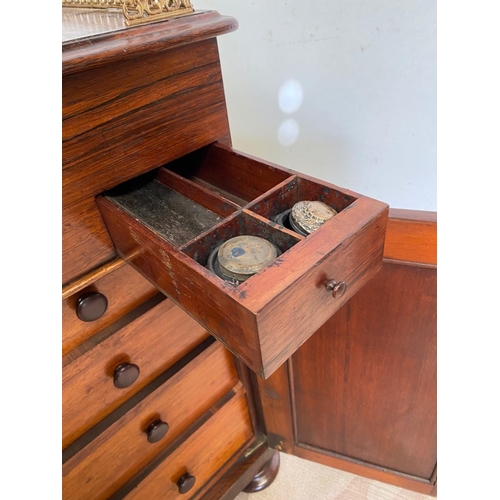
(300, 479)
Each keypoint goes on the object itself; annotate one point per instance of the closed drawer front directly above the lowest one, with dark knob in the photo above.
(104, 465)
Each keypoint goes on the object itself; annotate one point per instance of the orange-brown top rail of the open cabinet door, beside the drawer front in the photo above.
(411, 236)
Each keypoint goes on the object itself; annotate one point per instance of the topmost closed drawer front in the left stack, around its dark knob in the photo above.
(123, 288)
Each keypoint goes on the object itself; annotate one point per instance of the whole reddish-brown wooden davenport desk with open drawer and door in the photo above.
(180, 379)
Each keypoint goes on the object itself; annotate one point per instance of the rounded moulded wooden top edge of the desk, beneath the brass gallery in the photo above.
(108, 48)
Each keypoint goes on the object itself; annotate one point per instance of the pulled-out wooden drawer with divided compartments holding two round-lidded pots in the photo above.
(169, 225)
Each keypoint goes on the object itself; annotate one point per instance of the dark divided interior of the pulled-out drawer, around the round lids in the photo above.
(203, 199)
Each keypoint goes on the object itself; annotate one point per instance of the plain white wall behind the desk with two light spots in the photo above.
(358, 91)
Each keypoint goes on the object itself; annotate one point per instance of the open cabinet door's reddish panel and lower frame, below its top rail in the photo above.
(360, 394)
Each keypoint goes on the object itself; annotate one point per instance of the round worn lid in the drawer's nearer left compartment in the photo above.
(243, 256)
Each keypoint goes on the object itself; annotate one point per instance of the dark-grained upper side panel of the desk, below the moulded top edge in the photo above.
(121, 131)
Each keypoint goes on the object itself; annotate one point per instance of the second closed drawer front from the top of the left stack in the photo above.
(153, 342)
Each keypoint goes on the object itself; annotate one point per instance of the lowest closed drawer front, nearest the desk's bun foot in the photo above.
(201, 456)
